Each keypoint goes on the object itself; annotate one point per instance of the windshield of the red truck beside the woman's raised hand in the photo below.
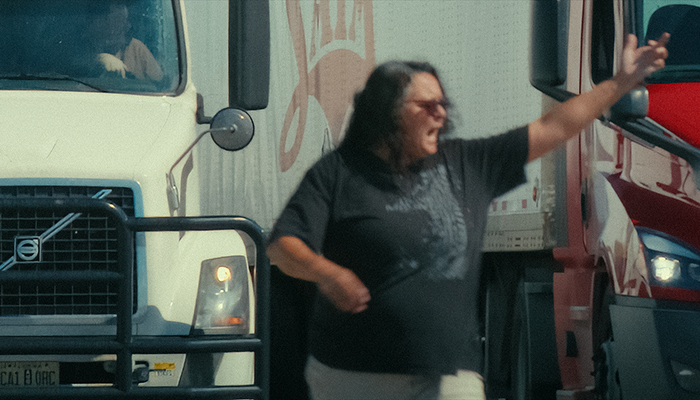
(682, 20)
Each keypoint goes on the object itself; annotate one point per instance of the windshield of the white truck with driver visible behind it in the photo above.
(127, 46)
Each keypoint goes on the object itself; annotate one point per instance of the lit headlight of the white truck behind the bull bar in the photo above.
(223, 297)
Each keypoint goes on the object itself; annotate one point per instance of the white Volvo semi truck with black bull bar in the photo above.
(112, 283)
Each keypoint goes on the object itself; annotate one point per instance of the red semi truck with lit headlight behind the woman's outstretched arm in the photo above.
(621, 226)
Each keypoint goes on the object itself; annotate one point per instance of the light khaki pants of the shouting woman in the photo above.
(326, 383)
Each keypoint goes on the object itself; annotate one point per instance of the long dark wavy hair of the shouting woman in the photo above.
(375, 120)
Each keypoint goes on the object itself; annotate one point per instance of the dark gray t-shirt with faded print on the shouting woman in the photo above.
(415, 241)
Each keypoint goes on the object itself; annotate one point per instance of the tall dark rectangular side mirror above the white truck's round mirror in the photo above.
(249, 54)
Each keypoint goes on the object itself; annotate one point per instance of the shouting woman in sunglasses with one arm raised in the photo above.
(389, 226)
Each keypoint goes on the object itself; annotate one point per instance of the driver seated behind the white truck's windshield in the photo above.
(109, 37)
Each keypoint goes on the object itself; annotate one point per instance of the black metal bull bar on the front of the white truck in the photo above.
(124, 344)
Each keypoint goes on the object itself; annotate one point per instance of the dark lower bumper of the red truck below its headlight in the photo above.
(656, 348)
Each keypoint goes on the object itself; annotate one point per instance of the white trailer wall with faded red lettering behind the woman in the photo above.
(480, 48)
